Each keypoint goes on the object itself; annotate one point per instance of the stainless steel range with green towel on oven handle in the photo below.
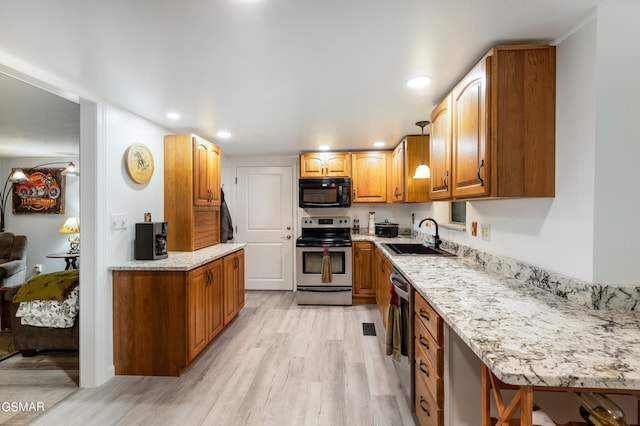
(320, 235)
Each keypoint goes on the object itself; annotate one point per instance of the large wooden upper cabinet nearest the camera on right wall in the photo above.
(501, 142)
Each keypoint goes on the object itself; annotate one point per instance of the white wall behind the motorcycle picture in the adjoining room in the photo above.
(42, 229)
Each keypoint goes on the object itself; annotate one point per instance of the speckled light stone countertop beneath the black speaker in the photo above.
(180, 260)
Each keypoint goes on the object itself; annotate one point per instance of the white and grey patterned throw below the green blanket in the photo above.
(50, 313)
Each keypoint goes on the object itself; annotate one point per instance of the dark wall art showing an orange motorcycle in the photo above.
(42, 193)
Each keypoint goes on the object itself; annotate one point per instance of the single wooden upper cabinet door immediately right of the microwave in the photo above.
(369, 172)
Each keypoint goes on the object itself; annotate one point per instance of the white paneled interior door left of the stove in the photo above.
(265, 223)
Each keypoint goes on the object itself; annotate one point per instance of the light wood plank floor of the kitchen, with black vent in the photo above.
(276, 364)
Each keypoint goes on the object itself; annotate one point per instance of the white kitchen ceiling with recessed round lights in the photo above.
(281, 75)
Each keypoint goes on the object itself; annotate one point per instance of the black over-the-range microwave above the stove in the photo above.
(325, 192)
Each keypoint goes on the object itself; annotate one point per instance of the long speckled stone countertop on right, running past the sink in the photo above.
(524, 334)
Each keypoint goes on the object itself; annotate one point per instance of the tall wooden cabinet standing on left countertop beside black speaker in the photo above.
(191, 192)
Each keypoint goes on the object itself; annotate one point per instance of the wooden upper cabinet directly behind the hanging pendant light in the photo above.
(405, 158)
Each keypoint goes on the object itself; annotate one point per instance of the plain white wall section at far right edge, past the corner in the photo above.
(618, 146)
